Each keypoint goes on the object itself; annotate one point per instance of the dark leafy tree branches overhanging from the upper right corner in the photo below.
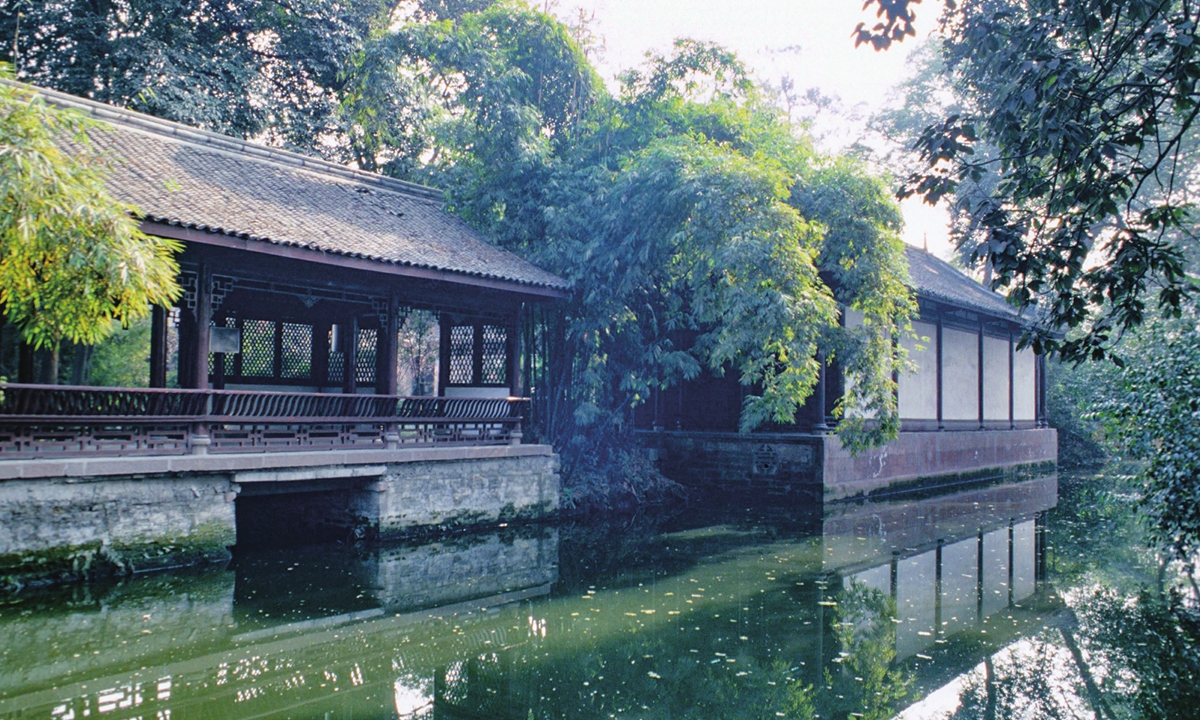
(1090, 107)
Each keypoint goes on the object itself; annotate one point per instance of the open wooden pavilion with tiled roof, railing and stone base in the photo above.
(298, 277)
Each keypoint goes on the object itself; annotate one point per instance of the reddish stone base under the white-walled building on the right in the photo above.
(815, 469)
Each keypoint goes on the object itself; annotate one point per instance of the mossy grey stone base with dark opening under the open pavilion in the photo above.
(57, 527)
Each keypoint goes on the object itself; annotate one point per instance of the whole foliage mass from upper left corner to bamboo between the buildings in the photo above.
(699, 231)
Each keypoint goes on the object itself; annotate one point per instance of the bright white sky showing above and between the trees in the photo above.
(811, 41)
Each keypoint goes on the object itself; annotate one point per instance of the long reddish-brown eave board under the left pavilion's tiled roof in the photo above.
(343, 261)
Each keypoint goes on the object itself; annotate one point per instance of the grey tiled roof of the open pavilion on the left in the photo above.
(202, 181)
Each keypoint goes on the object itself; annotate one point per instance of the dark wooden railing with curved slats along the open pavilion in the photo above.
(69, 422)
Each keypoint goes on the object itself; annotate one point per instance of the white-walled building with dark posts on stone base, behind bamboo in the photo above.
(973, 406)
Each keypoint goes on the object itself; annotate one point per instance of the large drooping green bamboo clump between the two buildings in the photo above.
(698, 230)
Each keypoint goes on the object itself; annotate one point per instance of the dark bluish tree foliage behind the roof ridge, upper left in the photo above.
(272, 70)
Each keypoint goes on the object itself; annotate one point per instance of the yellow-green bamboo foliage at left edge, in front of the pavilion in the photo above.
(73, 260)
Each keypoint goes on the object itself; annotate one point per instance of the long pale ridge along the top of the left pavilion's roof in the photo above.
(217, 141)
